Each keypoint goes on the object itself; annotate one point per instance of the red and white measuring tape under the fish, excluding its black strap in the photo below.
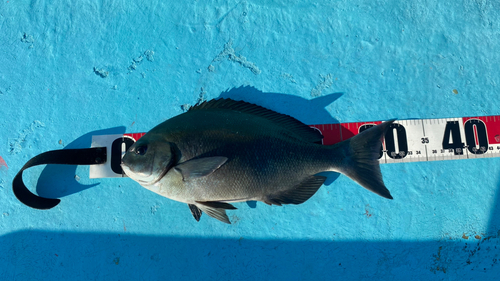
(407, 141)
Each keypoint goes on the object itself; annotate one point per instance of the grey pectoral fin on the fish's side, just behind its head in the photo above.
(200, 167)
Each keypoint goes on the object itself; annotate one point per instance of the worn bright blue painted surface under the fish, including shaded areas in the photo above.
(388, 59)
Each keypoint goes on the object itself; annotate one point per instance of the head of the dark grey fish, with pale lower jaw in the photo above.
(147, 160)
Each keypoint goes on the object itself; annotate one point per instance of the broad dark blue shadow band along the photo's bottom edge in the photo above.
(38, 255)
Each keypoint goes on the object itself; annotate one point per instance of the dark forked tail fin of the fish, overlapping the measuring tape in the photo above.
(360, 158)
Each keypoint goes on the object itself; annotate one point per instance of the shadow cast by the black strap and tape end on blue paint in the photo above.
(58, 181)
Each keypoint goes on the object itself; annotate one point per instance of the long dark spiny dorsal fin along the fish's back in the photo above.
(300, 129)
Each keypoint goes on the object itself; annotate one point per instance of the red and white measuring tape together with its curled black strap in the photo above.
(405, 141)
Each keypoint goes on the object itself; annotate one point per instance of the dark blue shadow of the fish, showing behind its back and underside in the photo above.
(310, 112)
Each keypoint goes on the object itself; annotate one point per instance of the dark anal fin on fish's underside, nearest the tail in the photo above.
(298, 194)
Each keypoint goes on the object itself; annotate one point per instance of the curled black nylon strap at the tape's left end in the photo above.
(86, 156)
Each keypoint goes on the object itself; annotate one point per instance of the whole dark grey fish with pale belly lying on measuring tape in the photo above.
(224, 151)
